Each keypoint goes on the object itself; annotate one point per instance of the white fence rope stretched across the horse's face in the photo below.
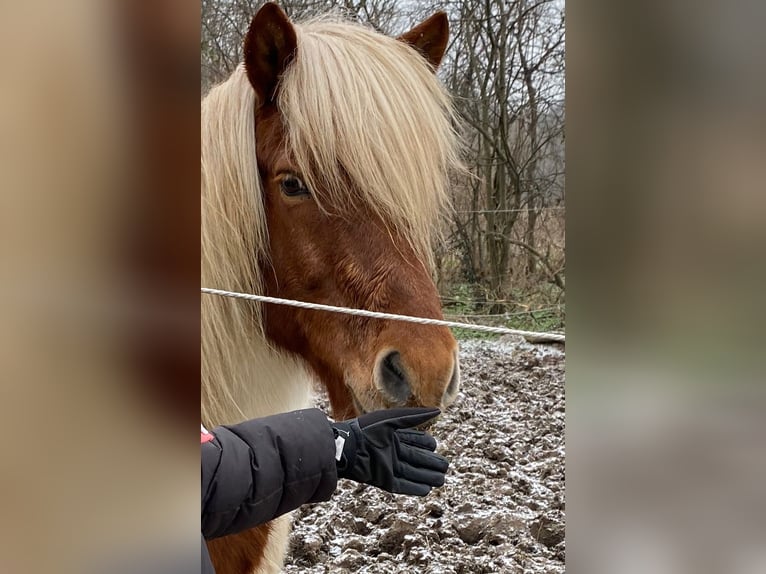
(378, 315)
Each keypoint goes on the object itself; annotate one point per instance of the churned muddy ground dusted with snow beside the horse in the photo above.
(502, 507)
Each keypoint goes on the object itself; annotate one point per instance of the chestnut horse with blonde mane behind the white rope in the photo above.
(325, 164)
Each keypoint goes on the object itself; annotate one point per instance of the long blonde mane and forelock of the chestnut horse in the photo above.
(359, 108)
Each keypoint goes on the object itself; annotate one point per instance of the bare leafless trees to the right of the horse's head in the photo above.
(506, 70)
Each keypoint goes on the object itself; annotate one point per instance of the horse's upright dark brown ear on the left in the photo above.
(269, 47)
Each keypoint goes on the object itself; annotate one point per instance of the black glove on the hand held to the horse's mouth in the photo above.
(380, 449)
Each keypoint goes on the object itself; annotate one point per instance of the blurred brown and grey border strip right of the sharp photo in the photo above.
(665, 223)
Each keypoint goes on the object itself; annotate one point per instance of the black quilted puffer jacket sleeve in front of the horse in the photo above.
(257, 470)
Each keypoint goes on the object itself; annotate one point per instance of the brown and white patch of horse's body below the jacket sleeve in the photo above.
(258, 550)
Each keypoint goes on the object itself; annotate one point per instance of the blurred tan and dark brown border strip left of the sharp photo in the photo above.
(99, 300)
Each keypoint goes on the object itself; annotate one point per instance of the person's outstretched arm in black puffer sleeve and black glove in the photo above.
(257, 470)
